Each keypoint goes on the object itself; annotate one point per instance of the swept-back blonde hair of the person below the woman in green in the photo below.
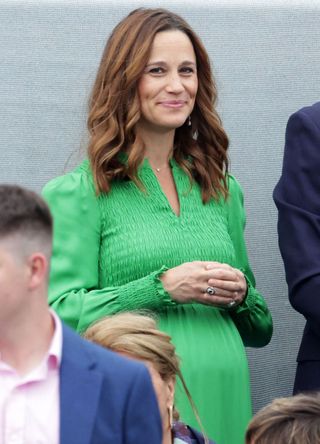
(137, 335)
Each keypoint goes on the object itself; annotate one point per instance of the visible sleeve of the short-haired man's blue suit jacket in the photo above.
(142, 419)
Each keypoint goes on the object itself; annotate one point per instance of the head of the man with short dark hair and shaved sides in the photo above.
(25, 246)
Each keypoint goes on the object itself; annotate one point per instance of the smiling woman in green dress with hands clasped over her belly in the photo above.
(154, 221)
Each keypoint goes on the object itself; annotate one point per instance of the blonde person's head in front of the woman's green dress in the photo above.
(137, 336)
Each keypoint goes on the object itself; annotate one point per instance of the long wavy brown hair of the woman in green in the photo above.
(114, 109)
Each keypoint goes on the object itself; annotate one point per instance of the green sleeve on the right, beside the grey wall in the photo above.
(252, 317)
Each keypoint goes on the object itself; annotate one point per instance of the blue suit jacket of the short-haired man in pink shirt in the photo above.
(104, 398)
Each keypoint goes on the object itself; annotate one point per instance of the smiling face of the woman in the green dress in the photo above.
(169, 84)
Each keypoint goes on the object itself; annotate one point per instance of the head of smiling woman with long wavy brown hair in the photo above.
(131, 91)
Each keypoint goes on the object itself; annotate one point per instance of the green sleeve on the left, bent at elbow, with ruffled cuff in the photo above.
(74, 290)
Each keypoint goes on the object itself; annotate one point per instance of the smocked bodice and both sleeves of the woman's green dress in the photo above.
(109, 251)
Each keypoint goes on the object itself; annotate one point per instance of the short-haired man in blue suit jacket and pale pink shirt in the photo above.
(55, 387)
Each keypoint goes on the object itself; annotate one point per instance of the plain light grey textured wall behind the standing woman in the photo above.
(266, 62)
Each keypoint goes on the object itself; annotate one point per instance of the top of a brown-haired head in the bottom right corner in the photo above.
(293, 420)
